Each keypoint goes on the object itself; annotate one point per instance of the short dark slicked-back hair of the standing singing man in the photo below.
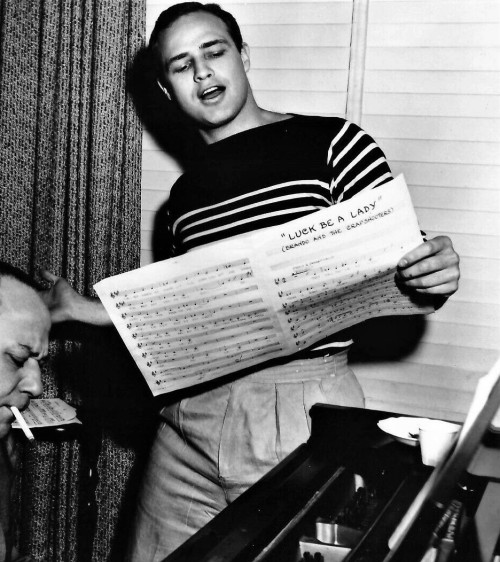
(172, 14)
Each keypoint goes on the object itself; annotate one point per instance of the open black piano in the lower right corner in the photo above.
(343, 495)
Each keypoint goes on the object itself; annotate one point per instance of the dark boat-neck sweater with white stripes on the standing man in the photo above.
(269, 175)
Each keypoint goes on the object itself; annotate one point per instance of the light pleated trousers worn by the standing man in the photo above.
(212, 446)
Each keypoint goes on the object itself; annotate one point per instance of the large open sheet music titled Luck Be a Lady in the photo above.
(237, 303)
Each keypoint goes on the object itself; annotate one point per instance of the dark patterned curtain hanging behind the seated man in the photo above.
(70, 164)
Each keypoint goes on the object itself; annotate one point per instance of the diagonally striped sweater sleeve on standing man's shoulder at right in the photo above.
(357, 163)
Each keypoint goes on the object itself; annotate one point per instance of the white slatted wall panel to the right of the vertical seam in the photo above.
(431, 99)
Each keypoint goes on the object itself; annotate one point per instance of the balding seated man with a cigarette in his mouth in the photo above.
(24, 334)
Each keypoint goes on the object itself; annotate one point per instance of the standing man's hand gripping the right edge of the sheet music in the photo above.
(431, 268)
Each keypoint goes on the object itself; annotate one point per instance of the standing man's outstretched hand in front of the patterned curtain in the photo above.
(65, 304)
